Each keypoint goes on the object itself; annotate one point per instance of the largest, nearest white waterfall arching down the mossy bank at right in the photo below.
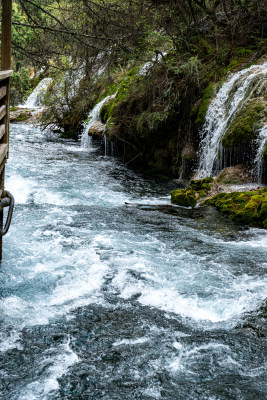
(222, 109)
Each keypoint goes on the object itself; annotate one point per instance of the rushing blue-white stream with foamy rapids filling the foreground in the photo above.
(109, 292)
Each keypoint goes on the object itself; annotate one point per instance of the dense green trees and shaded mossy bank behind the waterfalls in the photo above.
(95, 48)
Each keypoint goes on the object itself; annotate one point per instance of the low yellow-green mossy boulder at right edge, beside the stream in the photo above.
(248, 208)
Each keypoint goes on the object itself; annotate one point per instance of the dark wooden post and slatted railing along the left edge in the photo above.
(5, 74)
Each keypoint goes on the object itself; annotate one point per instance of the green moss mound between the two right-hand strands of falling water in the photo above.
(243, 129)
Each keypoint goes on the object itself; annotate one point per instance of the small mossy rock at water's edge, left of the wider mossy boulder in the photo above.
(193, 193)
